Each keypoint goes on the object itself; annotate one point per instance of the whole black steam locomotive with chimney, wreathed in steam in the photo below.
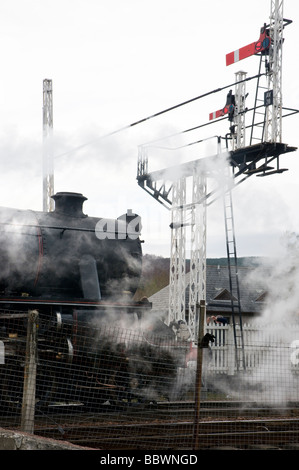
(80, 273)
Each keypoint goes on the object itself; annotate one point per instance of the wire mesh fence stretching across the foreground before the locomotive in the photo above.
(110, 385)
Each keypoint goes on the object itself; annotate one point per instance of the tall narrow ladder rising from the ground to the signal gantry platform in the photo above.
(234, 281)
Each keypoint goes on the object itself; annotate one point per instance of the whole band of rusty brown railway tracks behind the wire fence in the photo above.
(170, 426)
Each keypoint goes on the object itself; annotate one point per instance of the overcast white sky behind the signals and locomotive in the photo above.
(114, 62)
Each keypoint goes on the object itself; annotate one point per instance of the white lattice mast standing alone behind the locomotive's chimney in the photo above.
(48, 165)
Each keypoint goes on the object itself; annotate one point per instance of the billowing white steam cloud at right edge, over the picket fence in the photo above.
(275, 375)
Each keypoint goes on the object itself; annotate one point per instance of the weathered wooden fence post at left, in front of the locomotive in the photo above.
(28, 403)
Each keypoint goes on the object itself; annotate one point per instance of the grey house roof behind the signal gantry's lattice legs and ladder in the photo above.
(252, 293)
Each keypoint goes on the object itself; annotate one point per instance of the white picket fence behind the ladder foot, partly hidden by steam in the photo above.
(263, 344)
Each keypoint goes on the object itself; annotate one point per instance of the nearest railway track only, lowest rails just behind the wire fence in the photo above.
(244, 434)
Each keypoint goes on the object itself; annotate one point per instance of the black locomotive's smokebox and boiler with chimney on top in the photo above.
(65, 254)
